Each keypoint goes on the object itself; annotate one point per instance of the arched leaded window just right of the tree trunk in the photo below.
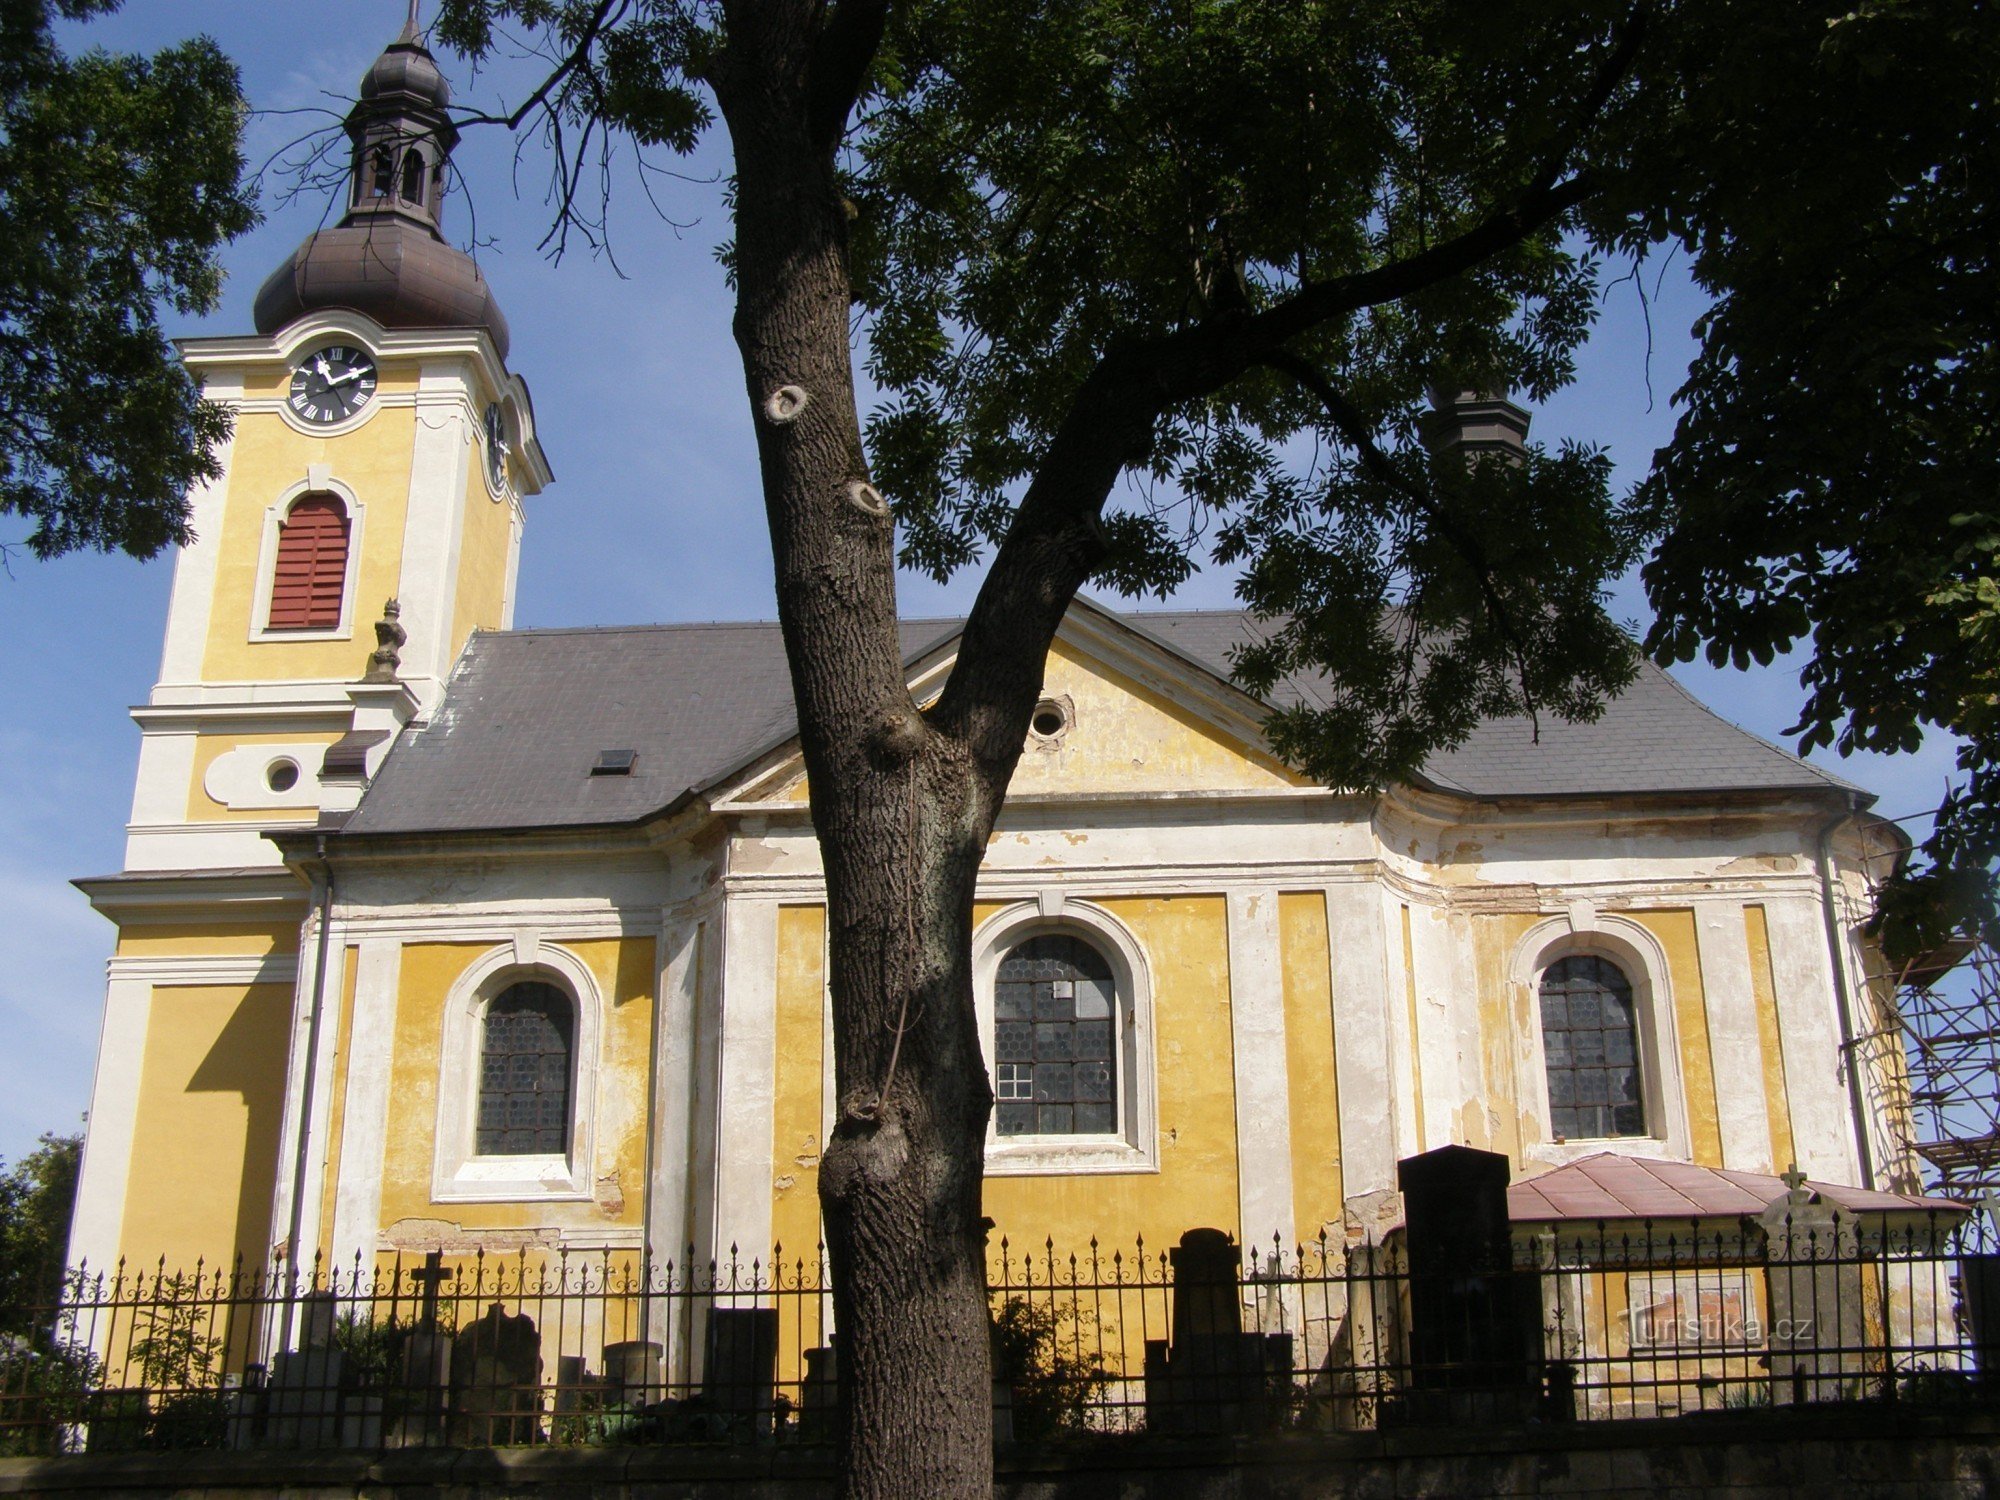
(1055, 1037)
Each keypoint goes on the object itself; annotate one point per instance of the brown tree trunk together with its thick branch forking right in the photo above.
(903, 799)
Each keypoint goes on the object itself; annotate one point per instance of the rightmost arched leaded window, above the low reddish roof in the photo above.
(1591, 1045)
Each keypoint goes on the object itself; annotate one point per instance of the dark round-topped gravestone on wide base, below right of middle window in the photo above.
(1213, 1375)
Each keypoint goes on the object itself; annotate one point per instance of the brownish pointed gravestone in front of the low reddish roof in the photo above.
(1815, 1299)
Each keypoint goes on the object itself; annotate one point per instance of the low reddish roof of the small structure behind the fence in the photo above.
(1635, 1187)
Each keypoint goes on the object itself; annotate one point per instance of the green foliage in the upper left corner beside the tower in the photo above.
(119, 183)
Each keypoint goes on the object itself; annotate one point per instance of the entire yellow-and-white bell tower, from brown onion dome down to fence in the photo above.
(367, 521)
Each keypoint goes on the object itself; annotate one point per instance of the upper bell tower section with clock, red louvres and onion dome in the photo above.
(383, 451)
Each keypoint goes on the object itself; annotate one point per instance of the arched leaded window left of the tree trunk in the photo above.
(525, 1073)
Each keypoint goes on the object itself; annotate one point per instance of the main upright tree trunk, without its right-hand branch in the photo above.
(901, 815)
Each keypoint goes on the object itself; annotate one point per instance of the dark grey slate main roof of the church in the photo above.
(529, 711)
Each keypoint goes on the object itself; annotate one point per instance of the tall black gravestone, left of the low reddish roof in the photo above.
(1475, 1325)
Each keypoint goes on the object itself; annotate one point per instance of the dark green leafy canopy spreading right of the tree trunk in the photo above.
(1145, 283)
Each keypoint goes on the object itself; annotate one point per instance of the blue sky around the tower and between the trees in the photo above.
(655, 513)
